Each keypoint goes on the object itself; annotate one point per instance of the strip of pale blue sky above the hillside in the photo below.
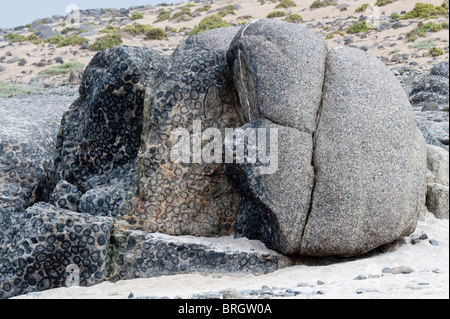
(15, 13)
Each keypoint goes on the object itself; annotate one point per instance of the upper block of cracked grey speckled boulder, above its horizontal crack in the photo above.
(286, 90)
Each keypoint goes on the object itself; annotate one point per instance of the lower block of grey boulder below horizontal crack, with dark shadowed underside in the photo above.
(277, 190)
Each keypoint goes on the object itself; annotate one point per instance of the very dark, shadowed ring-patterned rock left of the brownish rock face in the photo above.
(100, 135)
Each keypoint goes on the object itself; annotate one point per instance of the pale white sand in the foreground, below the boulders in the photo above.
(430, 278)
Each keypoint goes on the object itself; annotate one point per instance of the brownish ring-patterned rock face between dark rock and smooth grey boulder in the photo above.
(184, 195)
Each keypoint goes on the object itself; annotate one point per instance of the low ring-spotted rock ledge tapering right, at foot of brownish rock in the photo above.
(140, 254)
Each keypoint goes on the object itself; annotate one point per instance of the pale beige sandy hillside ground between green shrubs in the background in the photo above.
(380, 44)
